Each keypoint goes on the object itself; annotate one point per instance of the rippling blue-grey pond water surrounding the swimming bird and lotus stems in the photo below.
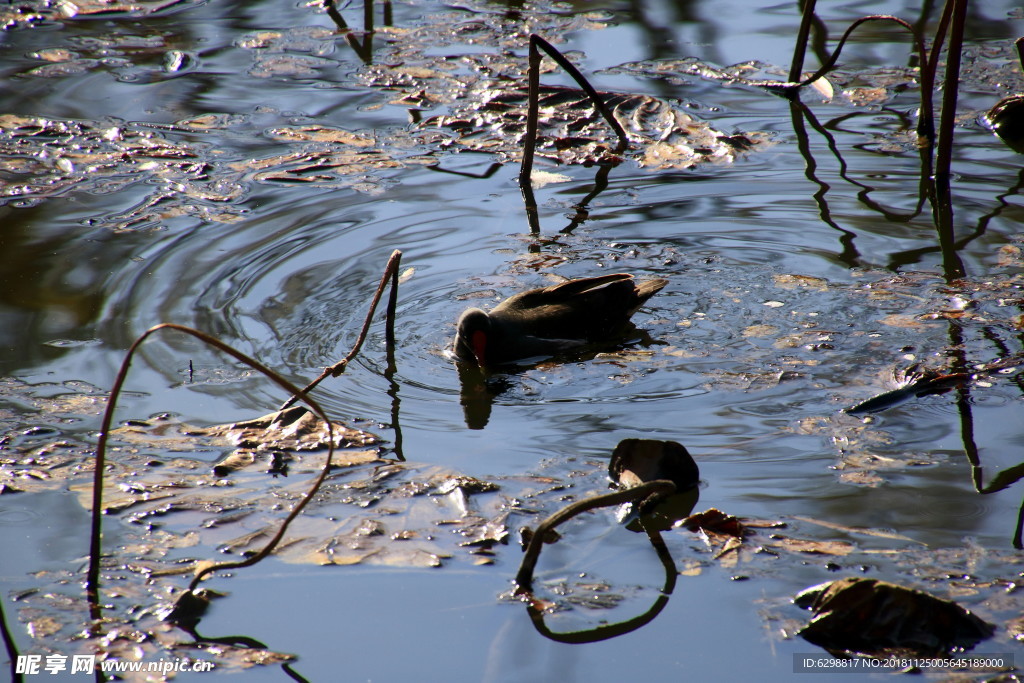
(799, 280)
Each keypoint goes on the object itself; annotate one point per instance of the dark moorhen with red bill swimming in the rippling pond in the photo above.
(552, 320)
